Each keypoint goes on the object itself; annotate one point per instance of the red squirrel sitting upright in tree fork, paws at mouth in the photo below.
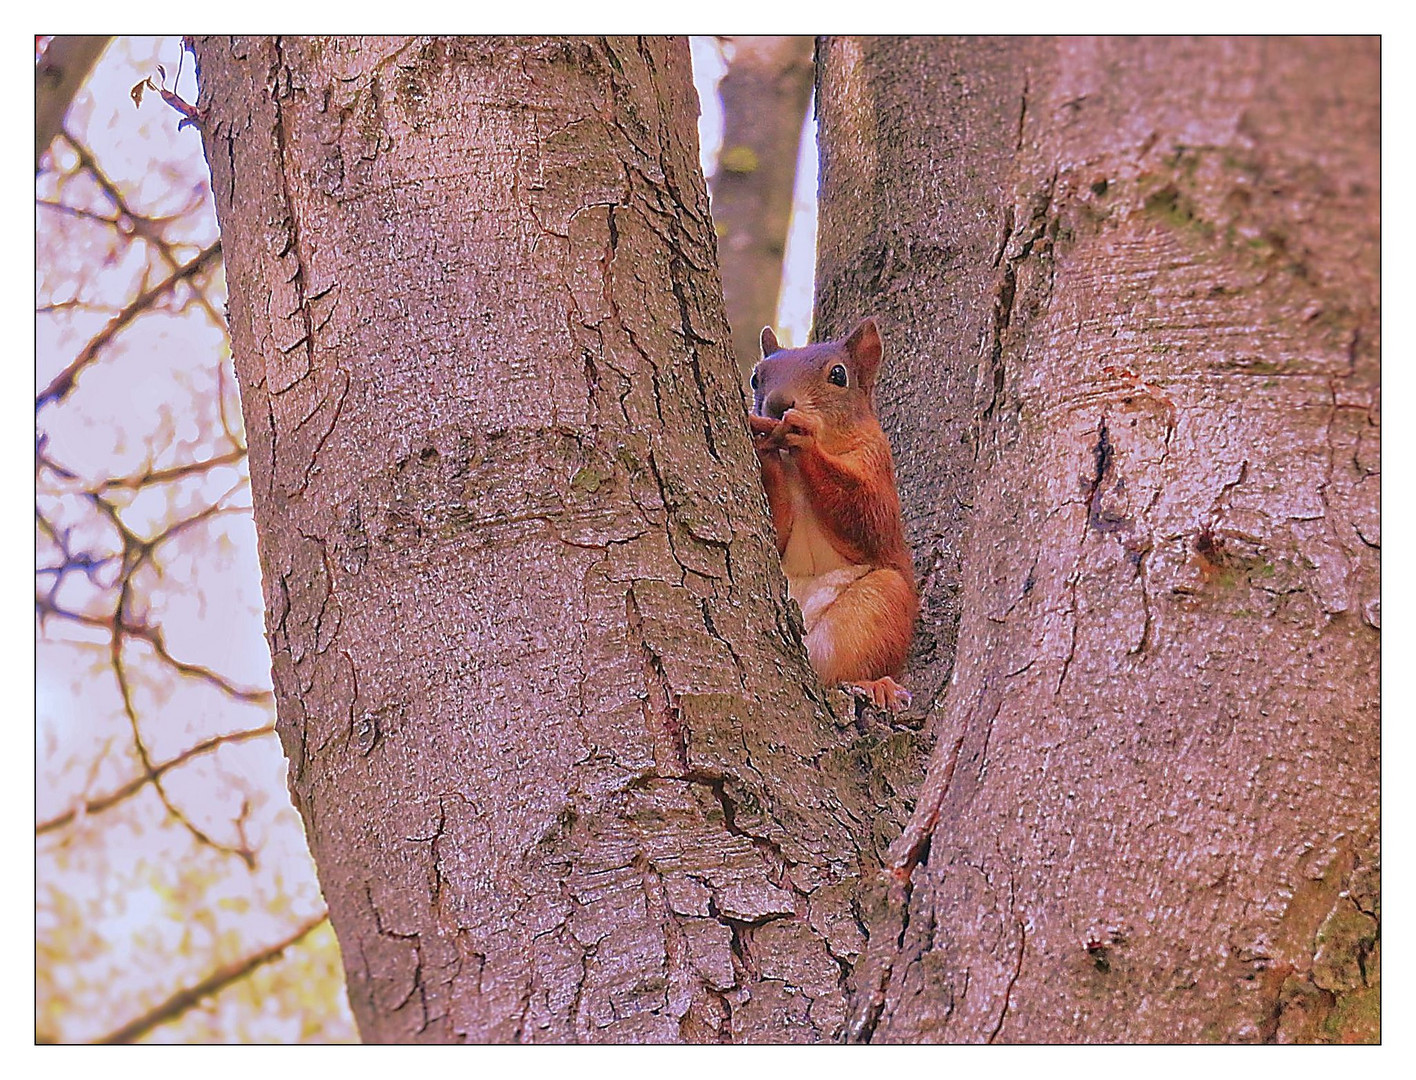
(830, 483)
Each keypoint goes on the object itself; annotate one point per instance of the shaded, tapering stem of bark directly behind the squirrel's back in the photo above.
(917, 138)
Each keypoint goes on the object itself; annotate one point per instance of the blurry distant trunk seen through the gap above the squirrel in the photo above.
(765, 96)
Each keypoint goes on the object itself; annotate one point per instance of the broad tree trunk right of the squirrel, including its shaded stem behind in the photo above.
(1132, 289)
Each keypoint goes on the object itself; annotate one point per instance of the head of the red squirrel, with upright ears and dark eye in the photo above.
(835, 380)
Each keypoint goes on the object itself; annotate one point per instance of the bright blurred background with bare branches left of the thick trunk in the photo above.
(169, 860)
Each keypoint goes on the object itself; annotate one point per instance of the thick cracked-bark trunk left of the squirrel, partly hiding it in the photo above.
(563, 768)
